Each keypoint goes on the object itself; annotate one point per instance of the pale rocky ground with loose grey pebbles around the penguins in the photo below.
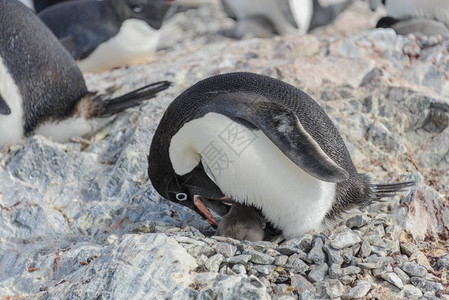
(81, 220)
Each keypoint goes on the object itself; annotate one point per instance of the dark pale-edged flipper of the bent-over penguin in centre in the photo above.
(285, 130)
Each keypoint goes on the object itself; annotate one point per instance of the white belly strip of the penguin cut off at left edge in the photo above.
(11, 126)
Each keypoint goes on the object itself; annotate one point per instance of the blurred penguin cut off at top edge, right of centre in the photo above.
(265, 18)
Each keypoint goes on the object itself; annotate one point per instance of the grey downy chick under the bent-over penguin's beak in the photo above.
(242, 223)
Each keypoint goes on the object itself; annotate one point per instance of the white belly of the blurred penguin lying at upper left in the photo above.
(135, 41)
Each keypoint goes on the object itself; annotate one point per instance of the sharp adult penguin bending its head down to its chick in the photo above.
(266, 144)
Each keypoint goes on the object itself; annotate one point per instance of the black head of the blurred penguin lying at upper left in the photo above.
(151, 11)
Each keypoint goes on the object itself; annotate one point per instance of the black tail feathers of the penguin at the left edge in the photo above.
(110, 107)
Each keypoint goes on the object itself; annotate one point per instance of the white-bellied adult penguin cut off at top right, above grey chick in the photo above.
(406, 9)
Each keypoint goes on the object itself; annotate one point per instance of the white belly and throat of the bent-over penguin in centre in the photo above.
(248, 167)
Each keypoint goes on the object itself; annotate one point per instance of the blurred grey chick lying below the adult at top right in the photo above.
(416, 26)
